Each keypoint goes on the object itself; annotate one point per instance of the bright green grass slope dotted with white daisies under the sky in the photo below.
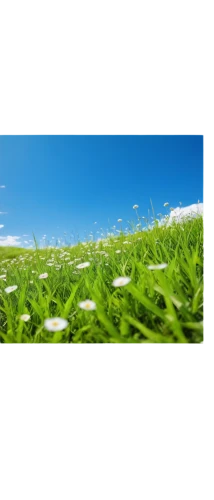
(155, 306)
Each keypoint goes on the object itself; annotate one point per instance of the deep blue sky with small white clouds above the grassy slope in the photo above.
(64, 183)
